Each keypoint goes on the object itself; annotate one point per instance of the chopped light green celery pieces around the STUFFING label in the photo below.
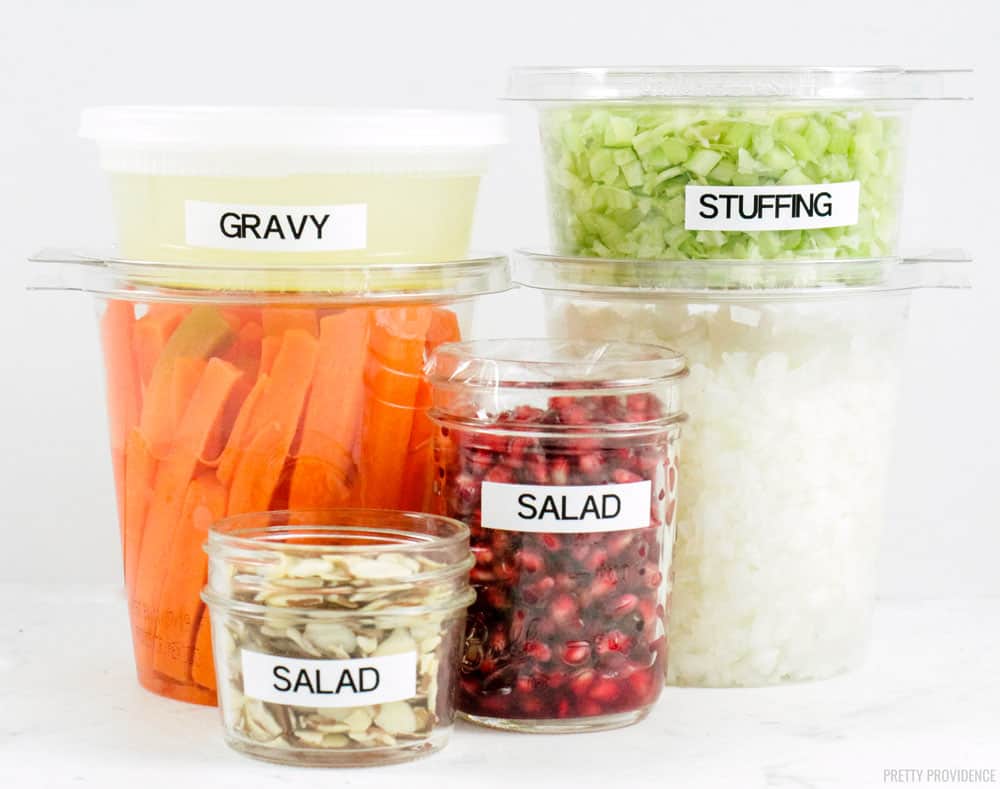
(617, 176)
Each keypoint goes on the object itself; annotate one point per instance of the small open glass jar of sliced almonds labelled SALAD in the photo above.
(337, 633)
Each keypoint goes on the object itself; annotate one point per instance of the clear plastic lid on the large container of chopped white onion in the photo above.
(740, 280)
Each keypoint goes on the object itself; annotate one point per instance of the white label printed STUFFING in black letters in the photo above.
(771, 207)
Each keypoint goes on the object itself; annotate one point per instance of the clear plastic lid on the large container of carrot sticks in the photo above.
(352, 283)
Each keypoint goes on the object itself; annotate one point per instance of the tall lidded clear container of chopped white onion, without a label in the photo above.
(794, 377)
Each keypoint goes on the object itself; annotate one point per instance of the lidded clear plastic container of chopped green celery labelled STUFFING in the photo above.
(727, 162)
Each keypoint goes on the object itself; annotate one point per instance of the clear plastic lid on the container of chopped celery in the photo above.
(801, 83)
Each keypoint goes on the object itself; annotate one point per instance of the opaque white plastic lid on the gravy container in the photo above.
(316, 127)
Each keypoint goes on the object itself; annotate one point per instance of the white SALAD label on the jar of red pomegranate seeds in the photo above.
(566, 508)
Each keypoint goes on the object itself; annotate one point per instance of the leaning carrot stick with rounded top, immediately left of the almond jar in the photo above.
(180, 604)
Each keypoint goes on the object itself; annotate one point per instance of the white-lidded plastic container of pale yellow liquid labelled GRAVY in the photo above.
(292, 185)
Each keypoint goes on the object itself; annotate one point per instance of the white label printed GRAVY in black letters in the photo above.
(276, 228)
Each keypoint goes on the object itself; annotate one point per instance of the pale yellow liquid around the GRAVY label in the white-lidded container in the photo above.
(411, 218)
